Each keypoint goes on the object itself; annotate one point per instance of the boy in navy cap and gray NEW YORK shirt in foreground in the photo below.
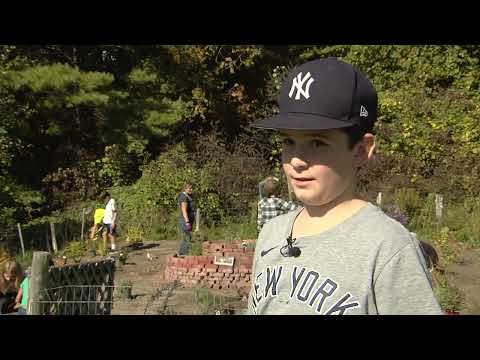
(337, 254)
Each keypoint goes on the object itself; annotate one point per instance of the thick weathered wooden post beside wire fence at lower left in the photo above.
(38, 282)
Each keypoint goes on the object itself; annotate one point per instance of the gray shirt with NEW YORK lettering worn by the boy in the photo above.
(368, 264)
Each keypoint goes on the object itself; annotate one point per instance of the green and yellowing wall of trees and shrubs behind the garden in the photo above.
(140, 120)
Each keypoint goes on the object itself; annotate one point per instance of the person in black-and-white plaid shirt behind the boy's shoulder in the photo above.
(272, 206)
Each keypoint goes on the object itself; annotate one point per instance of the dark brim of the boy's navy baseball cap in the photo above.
(300, 121)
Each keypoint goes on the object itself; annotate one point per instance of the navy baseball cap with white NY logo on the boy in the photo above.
(324, 94)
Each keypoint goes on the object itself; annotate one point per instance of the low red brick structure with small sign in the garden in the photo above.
(201, 270)
